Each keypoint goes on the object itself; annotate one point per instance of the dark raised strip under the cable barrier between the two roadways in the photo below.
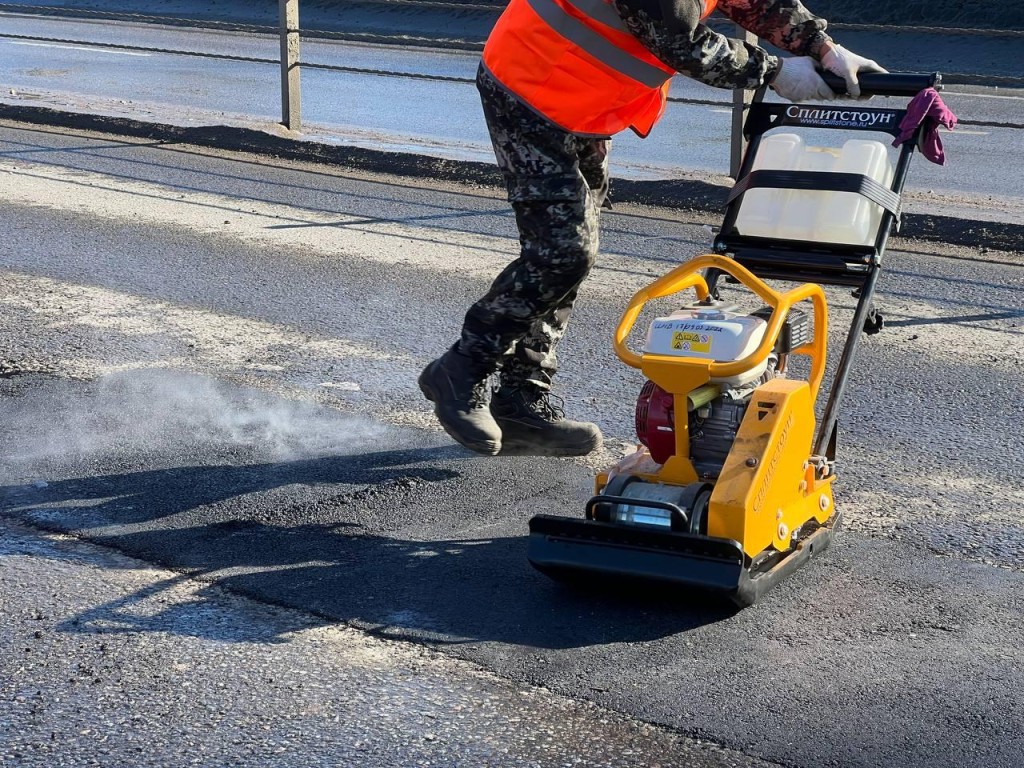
(690, 195)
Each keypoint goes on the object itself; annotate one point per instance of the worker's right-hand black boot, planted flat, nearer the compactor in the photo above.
(533, 425)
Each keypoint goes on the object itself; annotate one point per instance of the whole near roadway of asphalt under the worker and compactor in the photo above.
(208, 364)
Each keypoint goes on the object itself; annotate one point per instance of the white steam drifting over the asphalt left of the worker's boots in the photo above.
(159, 412)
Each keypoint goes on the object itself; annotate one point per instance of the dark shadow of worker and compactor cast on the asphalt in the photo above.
(346, 557)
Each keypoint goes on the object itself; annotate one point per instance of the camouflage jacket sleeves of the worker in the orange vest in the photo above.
(672, 30)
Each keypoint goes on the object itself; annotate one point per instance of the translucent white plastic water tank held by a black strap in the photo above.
(817, 217)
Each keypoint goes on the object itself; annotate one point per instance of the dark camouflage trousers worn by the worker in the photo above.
(558, 184)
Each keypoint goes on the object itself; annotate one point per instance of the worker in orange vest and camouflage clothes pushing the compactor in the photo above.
(559, 78)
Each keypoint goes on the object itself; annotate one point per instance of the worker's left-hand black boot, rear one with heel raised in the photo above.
(460, 394)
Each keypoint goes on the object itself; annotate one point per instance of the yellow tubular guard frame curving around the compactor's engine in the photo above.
(688, 276)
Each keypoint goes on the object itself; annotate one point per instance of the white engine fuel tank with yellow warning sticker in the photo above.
(709, 333)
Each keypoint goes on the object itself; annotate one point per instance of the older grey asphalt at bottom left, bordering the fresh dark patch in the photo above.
(112, 662)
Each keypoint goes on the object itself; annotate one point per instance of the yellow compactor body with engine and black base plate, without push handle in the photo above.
(737, 526)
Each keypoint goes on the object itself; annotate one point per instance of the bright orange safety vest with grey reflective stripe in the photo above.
(576, 64)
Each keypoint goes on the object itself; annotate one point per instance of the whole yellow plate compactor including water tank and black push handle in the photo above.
(731, 489)
